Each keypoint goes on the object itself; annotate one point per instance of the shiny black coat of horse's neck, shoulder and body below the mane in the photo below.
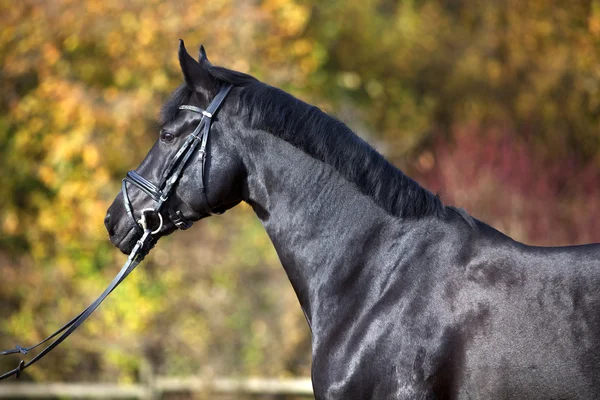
(428, 308)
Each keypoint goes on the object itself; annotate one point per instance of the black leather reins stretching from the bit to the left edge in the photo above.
(141, 248)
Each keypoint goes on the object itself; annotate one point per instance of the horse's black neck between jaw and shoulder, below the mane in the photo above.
(317, 220)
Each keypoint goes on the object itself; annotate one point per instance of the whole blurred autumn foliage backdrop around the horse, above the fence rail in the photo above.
(495, 105)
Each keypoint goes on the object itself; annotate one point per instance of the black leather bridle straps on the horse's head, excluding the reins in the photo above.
(160, 194)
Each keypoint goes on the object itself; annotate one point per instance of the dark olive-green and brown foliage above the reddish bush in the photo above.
(423, 67)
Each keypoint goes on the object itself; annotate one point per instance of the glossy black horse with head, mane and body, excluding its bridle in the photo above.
(406, 298)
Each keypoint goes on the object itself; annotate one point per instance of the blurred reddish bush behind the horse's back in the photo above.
(507, 182)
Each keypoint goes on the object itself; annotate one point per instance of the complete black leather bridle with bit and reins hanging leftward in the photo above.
(160, 194)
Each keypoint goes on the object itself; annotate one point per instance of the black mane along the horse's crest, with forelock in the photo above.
(326, 139)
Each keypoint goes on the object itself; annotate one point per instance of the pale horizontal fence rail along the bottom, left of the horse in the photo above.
(158, 387)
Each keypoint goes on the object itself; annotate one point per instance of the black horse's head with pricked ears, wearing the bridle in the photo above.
(194, 168)
